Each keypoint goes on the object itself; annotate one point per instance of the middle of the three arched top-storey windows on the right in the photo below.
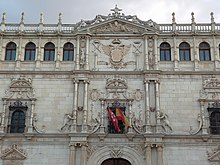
(184, 50)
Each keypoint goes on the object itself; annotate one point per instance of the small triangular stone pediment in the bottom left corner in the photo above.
(13, 153)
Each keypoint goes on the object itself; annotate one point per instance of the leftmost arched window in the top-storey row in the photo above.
(10, 53)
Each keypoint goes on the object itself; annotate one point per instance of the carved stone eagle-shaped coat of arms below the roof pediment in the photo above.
(116, 52)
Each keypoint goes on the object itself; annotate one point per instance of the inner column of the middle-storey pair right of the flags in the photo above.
(147, 107)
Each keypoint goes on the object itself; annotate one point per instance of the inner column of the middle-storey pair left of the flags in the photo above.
(85, 106)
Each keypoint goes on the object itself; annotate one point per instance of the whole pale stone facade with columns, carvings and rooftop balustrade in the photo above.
(117, 60)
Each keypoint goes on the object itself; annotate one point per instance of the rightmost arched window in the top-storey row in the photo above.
(204, 52)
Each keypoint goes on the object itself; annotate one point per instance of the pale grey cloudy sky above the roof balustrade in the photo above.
(74, 10)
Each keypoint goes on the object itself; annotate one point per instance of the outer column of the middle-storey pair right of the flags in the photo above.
(158, 125)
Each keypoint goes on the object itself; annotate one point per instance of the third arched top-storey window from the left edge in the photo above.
(49, 52)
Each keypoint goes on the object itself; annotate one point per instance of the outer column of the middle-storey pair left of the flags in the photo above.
(75, 104)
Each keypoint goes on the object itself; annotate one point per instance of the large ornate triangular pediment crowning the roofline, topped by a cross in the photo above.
(117, 22)
